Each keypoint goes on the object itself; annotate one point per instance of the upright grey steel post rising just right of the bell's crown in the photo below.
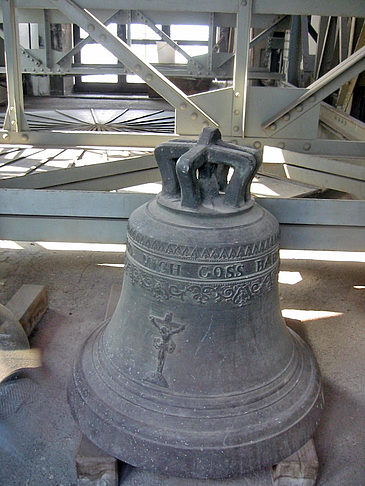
(242, 46)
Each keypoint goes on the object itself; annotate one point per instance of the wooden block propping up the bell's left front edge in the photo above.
(95, 467)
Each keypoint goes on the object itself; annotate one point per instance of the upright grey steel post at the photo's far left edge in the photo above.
(14, 120)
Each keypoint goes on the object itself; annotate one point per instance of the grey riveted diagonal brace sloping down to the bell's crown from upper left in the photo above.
(124, 53)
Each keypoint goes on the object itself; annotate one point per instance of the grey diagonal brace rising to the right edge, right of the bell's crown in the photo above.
(317, 91)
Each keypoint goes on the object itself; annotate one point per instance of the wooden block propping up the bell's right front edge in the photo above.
(300, 469)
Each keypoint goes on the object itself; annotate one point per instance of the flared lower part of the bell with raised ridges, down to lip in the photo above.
(148, 426)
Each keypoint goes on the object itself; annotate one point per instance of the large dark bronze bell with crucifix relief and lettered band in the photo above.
(196, 374)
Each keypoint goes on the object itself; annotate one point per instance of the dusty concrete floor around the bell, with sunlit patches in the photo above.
(38, 437)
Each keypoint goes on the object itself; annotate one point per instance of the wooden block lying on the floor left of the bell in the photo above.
(29, 304)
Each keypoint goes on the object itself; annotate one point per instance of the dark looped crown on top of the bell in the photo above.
(194, 174)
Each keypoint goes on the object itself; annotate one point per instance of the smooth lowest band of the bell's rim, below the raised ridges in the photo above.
(307, 425)
